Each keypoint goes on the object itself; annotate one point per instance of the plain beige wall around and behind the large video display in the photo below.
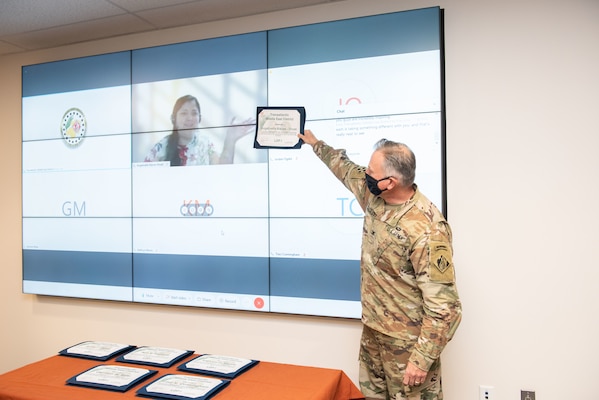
(523, 173)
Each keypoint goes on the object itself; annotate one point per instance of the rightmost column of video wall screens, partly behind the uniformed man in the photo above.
(370, 90)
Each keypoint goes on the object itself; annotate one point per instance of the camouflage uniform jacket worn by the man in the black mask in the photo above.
(407, 276)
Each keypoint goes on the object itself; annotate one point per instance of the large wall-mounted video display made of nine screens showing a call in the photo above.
(141, 182)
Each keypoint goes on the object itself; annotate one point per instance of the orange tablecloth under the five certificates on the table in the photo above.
(46, 380)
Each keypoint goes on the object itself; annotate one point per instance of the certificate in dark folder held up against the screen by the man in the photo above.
(277, 127)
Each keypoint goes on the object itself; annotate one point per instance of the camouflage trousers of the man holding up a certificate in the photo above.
(383, 360)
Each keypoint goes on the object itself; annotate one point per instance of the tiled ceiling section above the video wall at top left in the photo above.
(40, 24)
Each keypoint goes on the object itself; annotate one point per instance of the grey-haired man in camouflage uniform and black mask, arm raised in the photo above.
(410, 304)
